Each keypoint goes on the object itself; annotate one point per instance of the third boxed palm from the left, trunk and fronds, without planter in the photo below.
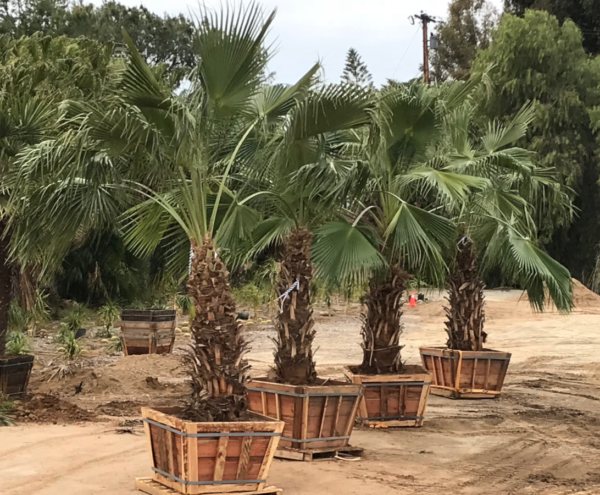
(396, 229)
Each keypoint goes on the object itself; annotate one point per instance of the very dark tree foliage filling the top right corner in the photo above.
(586, 14)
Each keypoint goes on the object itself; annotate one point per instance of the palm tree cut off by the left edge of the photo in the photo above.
(37, 73)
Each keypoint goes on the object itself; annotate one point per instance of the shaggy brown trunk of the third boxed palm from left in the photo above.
(381, 328)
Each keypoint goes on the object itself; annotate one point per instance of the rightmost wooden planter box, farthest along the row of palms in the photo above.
(465, 374)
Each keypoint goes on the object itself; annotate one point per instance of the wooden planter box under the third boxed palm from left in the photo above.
(393, 400)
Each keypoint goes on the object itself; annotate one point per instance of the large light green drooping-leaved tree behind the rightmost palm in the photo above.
(539, 60)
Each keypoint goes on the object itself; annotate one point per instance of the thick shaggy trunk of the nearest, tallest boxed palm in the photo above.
(216, 358)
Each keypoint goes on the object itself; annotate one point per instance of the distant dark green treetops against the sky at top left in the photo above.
(162, 39)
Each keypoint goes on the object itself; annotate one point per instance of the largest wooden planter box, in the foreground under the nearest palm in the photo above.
(195, 458)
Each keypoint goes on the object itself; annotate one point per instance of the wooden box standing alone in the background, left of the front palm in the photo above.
(148, 331)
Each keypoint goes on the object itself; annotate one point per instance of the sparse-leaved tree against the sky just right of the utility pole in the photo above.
(468, 28)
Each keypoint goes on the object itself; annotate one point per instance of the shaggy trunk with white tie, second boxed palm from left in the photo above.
(294, 363)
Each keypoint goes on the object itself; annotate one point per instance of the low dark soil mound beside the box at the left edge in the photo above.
(43, 408)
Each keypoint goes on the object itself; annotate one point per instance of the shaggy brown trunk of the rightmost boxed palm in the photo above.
(465, 295)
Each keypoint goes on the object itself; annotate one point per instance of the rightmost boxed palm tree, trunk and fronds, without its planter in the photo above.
(497, 224)
